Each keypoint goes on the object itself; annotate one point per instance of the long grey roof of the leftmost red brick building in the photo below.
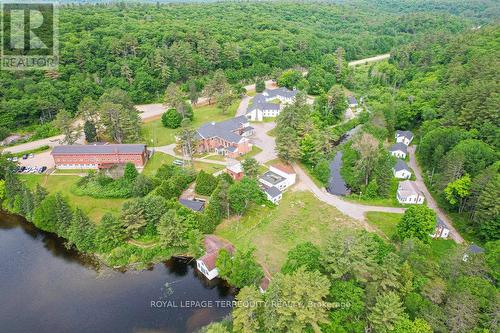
(99, 149)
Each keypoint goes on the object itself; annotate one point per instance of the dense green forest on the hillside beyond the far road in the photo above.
(142, 48)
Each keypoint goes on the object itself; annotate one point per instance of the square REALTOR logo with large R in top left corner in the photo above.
(29, 36)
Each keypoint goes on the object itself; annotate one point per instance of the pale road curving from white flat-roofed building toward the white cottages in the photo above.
(354, 210)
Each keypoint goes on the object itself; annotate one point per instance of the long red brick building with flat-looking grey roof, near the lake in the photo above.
(99, 156)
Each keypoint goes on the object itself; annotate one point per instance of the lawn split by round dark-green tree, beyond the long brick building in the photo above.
(154, 133)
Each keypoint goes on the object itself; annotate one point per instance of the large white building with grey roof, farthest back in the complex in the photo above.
(263, 106)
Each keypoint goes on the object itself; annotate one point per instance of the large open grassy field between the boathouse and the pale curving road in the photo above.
(300, 217)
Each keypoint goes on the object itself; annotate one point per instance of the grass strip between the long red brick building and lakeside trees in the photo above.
(95, 208)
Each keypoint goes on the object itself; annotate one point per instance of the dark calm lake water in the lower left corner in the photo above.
(46, 288)
